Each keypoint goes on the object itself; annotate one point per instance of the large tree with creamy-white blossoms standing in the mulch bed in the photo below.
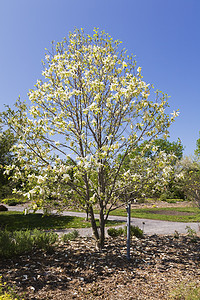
(92, 105)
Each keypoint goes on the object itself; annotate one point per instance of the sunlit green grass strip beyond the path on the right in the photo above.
(149, 213)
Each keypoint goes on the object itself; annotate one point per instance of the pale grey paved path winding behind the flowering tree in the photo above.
(149, 227)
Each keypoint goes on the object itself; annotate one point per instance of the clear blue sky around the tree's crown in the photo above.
(163, 34)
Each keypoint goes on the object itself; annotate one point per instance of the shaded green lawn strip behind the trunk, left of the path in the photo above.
(12, 220)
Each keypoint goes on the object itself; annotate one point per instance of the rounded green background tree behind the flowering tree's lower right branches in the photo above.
(159, 149)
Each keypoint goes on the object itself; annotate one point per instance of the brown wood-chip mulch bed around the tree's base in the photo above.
(78, 271)
